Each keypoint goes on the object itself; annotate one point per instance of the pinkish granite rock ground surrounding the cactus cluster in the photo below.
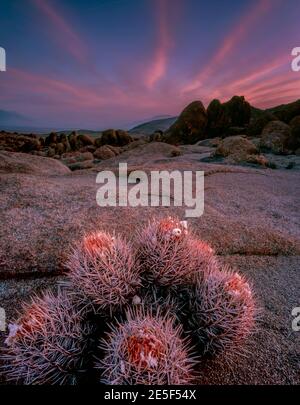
(251, 218)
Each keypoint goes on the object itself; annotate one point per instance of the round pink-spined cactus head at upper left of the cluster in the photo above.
(103, 272)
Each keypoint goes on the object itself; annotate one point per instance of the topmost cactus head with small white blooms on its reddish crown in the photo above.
(169, 254)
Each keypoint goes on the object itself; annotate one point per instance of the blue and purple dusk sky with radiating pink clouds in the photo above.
(97, 64)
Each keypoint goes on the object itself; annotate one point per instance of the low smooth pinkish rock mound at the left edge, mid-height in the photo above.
(22, 163)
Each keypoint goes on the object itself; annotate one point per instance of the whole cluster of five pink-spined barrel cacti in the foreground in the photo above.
(138, 309)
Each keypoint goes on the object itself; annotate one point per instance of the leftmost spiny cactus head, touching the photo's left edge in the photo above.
(46, 344)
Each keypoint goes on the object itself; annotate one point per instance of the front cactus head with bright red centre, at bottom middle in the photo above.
(146, 350)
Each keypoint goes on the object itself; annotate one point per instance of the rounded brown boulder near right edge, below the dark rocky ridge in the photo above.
(275, 137)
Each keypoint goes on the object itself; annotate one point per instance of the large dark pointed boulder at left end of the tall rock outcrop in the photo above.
(190, 127)
